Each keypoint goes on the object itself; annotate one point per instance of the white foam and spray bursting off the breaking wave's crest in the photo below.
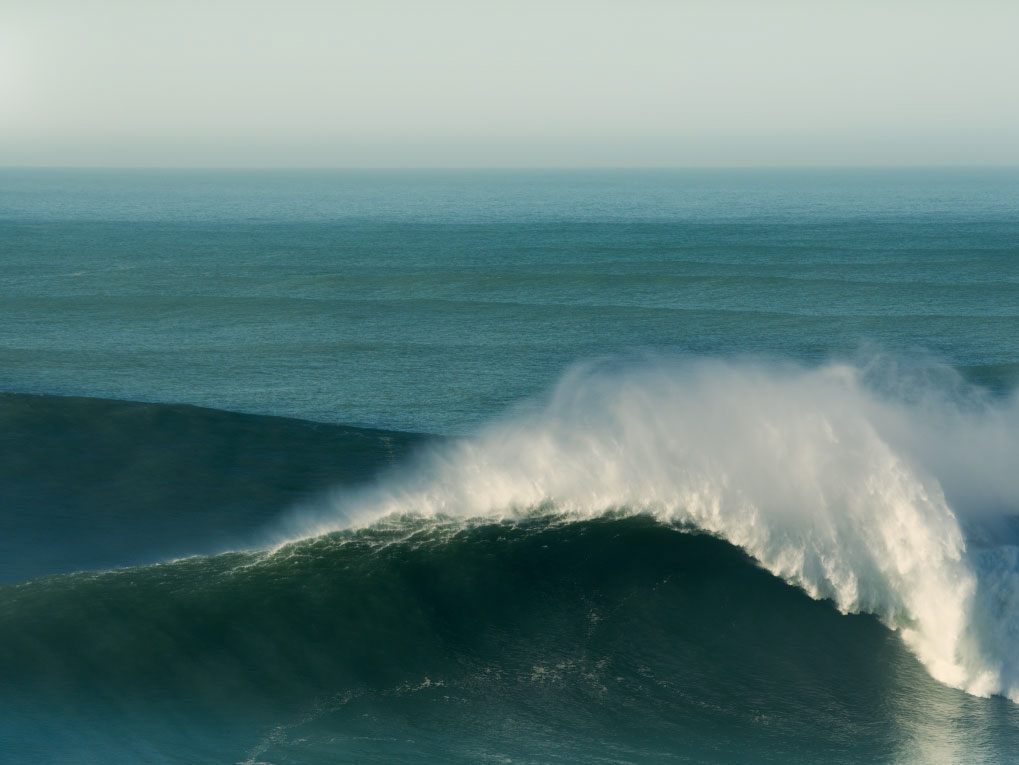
(857, 483)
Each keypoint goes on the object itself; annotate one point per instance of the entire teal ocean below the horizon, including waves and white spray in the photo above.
(517, 467)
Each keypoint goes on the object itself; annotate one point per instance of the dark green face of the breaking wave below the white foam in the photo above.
(616, 639)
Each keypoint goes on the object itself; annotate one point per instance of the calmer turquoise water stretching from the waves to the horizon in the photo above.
(432, 302)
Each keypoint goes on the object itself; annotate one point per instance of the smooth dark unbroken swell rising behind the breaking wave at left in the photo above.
(89, 483)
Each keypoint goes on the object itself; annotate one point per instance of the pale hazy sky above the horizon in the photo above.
(444, 83)
